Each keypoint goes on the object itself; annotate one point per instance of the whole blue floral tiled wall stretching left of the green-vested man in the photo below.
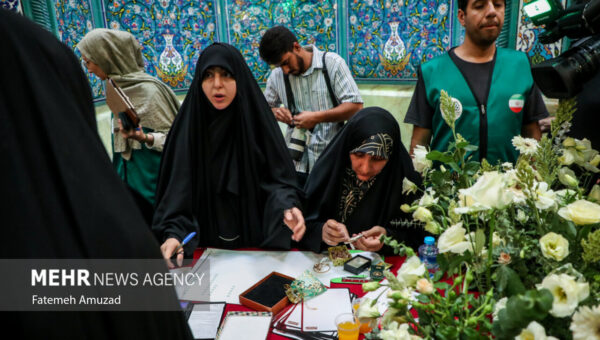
(381, 40)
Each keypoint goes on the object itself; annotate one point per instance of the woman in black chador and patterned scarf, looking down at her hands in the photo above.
(356, 185)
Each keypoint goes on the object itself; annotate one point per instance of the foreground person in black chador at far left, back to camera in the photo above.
(61, 196)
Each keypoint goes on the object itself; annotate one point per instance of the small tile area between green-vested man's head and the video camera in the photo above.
(527, 38)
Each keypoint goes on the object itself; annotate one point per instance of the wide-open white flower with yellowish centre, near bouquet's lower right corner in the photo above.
(566, 291)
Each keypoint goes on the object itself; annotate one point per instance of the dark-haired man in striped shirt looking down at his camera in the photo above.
(310, 90)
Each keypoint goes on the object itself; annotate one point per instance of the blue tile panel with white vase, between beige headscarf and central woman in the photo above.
(172, 33)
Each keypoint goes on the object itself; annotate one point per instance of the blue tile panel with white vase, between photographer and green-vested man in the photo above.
(388, 40)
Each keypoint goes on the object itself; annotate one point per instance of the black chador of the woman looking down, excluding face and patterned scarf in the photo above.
(382, 202)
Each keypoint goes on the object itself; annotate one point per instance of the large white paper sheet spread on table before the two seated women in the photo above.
(232, 272)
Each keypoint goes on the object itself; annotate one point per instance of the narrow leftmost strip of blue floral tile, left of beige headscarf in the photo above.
(74, 19)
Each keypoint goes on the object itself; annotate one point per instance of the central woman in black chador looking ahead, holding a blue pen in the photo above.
(226, 172)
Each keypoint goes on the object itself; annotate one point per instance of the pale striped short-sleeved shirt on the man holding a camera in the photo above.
(310, 94)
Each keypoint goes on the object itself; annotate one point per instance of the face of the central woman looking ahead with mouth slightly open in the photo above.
(219, 87)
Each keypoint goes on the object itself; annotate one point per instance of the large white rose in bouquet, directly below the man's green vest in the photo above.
(490, 191)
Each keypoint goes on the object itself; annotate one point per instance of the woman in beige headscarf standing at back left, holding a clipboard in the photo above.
(118, 55)
